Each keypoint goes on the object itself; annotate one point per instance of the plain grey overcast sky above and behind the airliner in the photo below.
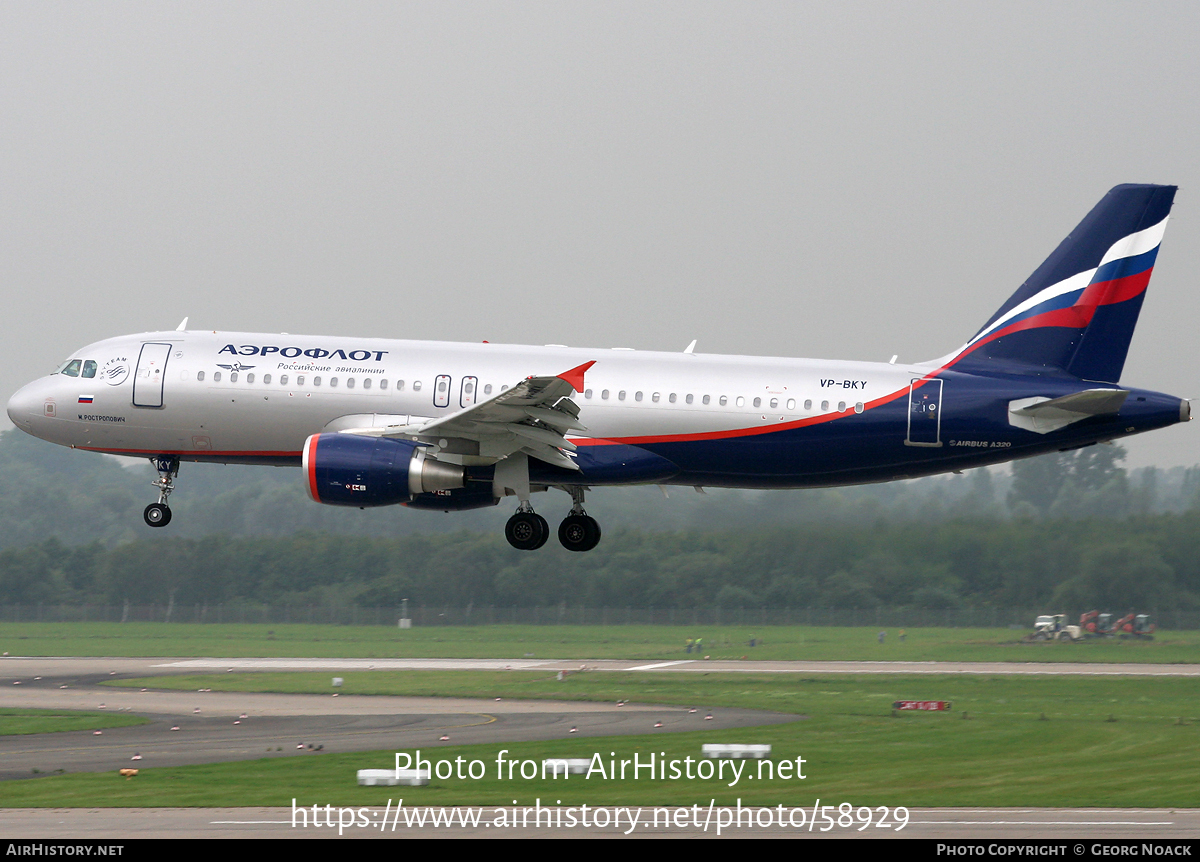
(845, 181)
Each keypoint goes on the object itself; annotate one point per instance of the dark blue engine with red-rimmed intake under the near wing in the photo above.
(351, 470)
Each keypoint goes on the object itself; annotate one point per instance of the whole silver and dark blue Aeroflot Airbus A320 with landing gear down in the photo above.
(437, 426)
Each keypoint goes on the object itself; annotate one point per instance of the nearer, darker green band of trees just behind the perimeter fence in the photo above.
(1150, 564)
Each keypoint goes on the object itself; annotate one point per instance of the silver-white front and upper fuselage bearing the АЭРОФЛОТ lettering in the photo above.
(257, 397)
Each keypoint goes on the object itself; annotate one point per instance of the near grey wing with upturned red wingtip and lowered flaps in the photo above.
(532, 417)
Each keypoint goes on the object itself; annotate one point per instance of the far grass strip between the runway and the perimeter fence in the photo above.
(583, 643)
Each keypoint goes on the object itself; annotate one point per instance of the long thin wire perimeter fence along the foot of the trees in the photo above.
(560, 615)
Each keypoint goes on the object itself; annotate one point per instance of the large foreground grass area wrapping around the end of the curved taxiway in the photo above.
(994, 749)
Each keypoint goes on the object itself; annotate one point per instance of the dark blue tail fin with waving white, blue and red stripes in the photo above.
(1077, 314)
